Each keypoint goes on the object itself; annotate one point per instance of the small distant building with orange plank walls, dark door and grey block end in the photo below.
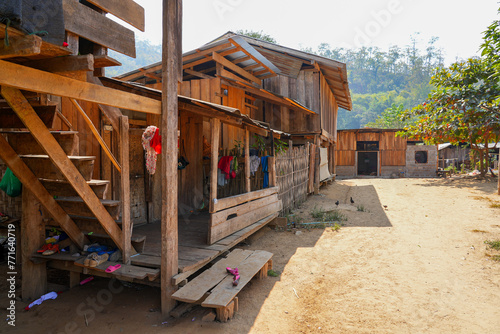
(382, 153)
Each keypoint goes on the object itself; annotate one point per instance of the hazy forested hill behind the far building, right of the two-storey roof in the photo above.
(378, 79)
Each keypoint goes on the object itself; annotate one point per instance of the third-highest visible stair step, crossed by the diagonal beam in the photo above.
(43, 167)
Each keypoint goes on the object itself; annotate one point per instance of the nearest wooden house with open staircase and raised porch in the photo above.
(67, 136)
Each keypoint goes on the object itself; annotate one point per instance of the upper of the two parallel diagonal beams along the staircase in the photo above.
(42, 135)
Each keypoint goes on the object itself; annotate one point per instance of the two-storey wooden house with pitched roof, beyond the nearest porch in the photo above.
(288, 90)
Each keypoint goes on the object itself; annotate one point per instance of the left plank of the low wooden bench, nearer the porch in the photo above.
(195, 290)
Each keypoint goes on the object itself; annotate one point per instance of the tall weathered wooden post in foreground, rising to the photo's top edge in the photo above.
(171, 64)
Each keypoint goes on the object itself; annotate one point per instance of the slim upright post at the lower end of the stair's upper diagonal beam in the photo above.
(125, 187)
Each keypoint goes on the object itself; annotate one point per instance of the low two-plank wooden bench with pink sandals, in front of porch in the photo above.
(214, 288)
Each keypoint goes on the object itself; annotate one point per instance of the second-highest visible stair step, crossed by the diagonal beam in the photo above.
(24, 143)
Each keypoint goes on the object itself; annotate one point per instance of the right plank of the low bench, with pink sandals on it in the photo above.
(225, 292)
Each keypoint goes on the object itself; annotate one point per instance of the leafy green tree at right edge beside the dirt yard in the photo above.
(461, 108)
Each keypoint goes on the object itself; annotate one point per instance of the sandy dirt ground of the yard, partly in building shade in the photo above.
(418, 266)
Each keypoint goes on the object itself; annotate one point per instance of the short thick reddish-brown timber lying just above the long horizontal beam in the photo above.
(63, 64)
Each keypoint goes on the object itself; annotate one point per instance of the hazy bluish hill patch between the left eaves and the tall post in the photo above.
(146, 52)
